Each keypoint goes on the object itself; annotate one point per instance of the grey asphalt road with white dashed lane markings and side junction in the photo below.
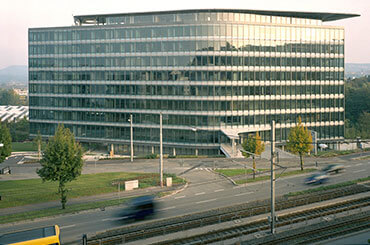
(205, 191)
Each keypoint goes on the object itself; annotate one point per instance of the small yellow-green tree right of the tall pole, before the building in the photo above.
(300, 140)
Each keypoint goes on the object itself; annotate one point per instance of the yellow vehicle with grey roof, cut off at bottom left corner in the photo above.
(45, 235)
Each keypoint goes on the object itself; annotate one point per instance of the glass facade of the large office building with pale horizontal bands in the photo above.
(207, 71)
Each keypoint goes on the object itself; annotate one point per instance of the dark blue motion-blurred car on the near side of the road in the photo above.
(139, 208)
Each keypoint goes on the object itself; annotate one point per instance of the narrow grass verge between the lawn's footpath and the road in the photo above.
(58, 211)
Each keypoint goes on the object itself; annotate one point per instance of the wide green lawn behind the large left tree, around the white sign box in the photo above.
(22, 192)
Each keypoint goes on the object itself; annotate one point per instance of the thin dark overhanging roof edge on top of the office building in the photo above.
(308, 15)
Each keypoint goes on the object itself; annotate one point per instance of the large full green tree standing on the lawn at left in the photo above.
(61, 161)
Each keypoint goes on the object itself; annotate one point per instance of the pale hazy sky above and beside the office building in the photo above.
(16, 16)
